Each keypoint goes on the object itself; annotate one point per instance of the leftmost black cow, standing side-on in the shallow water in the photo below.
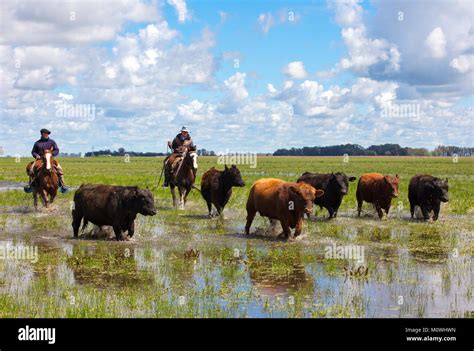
(116, 206)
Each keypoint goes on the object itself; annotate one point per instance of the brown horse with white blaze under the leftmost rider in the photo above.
(46, 182)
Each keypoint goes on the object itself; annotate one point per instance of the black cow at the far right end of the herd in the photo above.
(427, 192)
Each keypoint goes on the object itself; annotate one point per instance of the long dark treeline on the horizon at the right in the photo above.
(374, 150)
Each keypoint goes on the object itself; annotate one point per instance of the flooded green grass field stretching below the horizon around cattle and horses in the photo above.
(429, 264)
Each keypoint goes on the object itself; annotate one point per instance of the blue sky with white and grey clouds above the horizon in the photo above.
(242, 75)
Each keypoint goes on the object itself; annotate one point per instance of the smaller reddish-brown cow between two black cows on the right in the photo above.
(377, 189)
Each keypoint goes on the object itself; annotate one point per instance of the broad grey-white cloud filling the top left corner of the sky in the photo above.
(58, 22)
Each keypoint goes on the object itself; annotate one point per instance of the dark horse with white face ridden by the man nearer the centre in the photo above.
(184, 176)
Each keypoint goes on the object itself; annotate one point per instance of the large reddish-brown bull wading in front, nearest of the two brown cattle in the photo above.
(284, 201)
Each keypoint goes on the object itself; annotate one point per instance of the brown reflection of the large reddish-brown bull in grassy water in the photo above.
(273, 275)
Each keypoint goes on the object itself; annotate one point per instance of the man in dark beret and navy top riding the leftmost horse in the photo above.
(44, 143)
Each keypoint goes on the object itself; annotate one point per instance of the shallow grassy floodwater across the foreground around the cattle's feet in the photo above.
(415, 269)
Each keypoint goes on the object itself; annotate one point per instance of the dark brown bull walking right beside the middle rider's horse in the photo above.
(216, 187)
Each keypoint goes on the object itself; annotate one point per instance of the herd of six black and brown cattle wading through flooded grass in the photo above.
(287, 202)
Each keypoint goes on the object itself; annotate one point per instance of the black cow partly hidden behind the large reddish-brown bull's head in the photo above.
(334, 185)
